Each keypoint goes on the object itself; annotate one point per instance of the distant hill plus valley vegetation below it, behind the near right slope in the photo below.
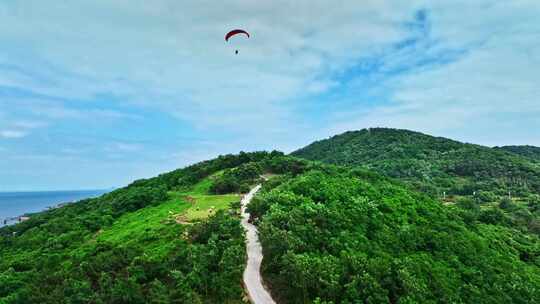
(443, 168)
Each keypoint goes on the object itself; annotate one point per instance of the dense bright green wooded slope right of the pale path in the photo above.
(332, 235)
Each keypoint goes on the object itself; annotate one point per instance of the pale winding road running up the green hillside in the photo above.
(252, 274)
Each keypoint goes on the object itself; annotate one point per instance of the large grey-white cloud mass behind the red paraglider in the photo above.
(172, 55)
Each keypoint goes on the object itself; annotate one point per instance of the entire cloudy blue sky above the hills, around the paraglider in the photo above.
(94, 94)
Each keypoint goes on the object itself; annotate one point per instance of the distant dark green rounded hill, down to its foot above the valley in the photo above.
(414, 156)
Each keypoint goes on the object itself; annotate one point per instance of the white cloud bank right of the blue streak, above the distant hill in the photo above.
(490, 95)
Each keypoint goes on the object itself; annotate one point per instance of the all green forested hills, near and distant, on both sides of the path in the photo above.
(359, 233)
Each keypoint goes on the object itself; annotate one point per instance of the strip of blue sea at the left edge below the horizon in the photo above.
(16, 204)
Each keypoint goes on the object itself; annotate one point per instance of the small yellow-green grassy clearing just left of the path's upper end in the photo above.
(205, 205)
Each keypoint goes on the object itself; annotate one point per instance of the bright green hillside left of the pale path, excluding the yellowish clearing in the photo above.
(128, 247)
